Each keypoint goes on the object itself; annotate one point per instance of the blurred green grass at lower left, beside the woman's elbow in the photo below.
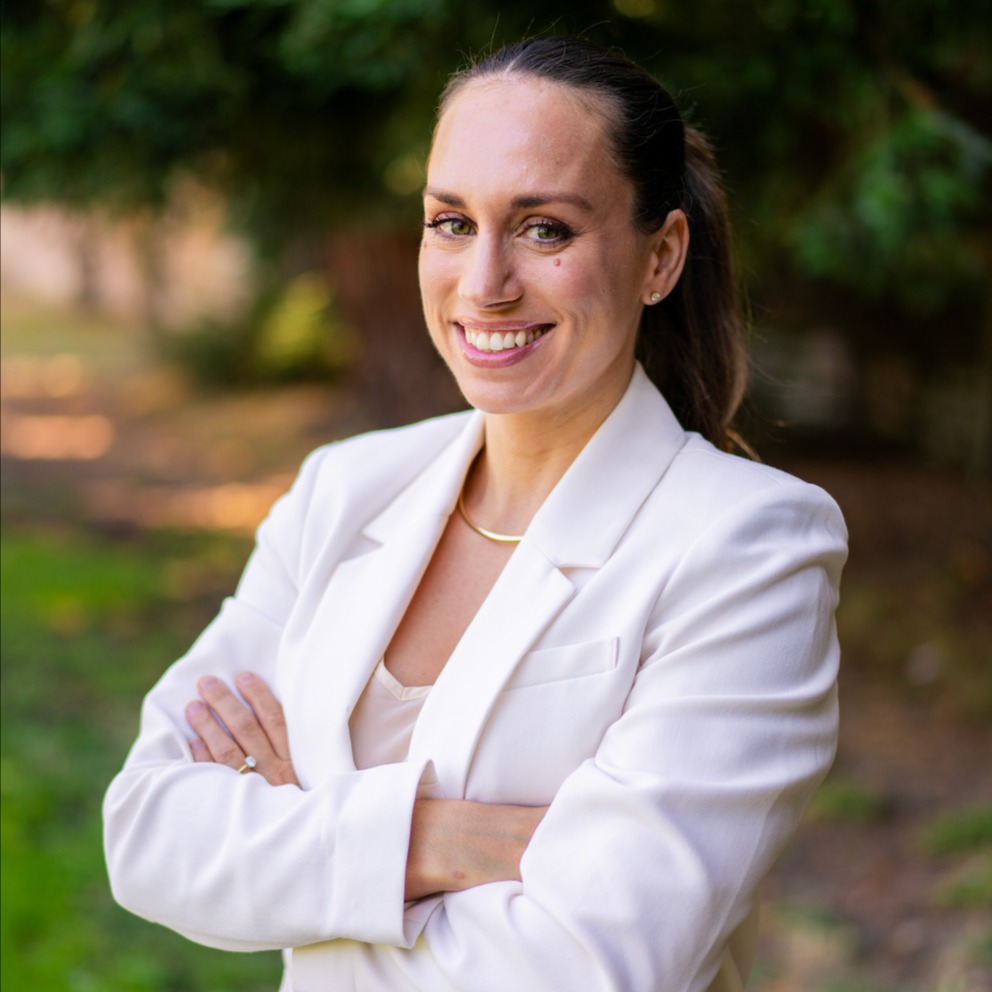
(85, 628)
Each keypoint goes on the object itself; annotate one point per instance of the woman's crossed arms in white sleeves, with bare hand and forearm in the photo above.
(729, 724)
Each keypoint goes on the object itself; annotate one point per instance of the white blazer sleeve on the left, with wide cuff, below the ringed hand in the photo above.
(226, 859)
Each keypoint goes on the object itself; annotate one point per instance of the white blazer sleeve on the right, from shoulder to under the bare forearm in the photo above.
(650, 854)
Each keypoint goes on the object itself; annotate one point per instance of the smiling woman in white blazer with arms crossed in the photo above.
(558, 674)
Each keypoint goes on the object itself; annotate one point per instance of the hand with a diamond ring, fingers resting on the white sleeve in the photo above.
(258, 730)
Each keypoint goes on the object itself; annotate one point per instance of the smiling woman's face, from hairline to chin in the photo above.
(532, 274)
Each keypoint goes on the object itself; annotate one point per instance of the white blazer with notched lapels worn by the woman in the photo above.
(657, 661)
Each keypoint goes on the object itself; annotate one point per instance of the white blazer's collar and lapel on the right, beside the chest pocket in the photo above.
(578, 527)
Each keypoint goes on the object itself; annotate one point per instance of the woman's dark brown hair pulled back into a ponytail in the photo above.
(692, 343)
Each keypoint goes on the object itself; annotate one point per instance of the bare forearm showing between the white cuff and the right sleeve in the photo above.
(456, 844)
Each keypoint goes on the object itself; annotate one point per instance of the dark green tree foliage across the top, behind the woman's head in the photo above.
(854, 135)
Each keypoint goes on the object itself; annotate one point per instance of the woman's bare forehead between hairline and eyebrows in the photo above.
(519, 134)
